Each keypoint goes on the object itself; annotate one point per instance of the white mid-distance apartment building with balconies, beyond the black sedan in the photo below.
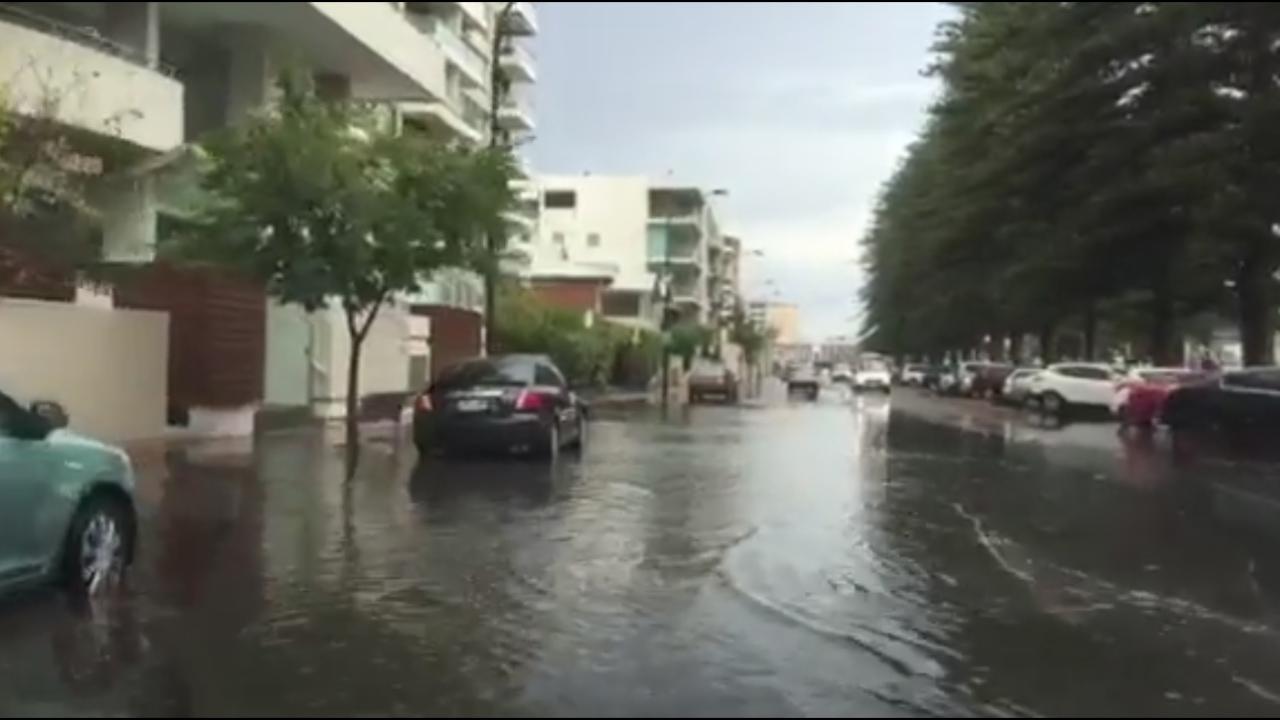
(647, 239)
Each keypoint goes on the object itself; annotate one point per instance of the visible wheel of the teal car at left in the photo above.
(98, 548)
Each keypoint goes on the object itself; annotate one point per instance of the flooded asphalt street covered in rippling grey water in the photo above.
(842, 558)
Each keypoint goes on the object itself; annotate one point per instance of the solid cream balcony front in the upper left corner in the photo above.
(88, 83)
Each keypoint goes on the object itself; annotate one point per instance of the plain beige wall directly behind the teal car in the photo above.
(107, 367)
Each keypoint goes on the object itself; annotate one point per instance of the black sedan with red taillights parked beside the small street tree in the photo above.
(508, 404)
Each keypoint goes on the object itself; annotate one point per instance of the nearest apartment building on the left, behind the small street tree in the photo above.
(136, 84)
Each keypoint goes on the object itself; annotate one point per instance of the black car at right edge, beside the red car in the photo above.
(1238, 402)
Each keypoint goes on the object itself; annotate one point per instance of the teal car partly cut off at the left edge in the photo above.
(67, 511)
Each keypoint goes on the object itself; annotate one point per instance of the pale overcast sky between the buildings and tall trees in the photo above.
(801, 111)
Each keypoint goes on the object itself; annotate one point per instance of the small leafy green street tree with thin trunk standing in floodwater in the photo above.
(326, 208)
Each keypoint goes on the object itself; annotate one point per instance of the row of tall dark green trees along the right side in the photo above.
(1086, 165)
